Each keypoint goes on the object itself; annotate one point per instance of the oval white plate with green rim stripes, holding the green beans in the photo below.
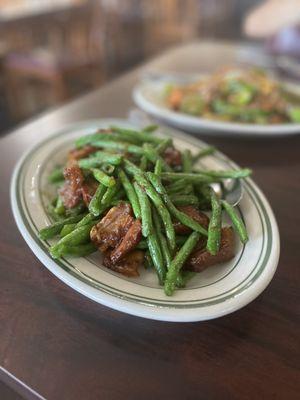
(217, 291)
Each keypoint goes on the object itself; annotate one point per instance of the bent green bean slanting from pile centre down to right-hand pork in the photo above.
(181, 216)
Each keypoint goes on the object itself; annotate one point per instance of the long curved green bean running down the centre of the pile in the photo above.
(155, 198)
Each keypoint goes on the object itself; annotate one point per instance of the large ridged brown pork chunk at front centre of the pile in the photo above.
(112, 228)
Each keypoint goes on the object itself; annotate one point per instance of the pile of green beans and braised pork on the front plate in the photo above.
(143, 204)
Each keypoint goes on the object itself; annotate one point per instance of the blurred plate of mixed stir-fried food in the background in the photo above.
(232, 102)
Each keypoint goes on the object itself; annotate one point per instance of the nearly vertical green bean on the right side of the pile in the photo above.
(215, 225)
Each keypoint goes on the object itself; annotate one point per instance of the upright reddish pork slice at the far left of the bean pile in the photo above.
(71, 192)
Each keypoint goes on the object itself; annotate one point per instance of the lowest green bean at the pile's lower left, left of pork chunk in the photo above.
(79, 235)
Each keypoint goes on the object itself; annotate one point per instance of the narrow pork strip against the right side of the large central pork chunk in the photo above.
(130, 240)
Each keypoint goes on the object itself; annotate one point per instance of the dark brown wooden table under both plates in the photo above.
(61, 345)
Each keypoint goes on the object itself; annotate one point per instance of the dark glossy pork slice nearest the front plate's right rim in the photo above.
(201, 259)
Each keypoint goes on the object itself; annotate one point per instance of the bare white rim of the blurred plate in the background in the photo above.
(148, 95)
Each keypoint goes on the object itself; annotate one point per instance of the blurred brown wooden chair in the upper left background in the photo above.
(60, 60)
